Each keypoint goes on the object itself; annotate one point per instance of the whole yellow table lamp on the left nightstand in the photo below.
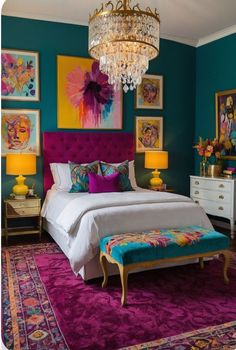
(20, 164)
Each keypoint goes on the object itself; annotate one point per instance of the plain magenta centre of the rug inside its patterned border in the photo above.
(161, 303)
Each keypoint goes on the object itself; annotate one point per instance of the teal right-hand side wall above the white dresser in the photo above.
(215, 71)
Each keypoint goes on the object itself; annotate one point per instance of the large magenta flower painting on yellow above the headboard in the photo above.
(85, 99)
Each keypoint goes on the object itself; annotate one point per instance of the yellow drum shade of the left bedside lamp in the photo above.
(21, 164)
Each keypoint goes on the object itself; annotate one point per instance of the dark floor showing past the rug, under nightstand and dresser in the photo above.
(31, 239)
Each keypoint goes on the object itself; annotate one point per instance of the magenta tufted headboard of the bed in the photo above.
(59, 147)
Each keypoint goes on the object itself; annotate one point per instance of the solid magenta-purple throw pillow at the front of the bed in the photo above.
(99, 183)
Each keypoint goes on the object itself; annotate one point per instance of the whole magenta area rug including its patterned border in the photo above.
(46, 307)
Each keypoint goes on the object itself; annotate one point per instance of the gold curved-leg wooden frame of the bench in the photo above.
(124, 269)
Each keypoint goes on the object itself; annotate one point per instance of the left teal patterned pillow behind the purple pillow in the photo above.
(79, 176)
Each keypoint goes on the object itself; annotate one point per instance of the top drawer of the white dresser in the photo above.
(209, 184)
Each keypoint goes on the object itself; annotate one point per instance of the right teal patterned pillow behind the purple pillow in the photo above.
(123, 169)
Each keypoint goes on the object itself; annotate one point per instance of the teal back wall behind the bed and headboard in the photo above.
(176, 63)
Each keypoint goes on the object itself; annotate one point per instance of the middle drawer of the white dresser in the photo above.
(213, 195)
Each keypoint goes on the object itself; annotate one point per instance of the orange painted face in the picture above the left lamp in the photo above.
(18, 131)
